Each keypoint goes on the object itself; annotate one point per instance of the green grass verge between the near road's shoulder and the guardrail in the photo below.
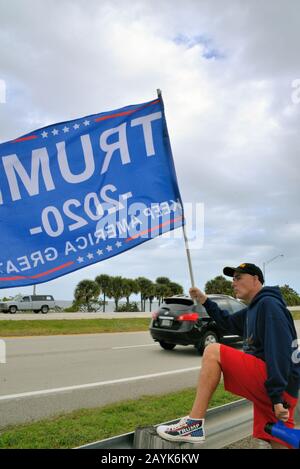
(88, 425)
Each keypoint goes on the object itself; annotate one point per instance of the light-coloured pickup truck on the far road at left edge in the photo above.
(35, 303)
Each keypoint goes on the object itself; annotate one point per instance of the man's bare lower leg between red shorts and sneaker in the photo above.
(209, 379)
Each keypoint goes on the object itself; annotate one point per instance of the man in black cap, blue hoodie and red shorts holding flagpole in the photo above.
(267, 371)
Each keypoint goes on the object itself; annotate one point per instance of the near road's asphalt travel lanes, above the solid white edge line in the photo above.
(39, 363)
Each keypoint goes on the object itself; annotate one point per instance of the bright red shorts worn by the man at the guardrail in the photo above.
(245, 376)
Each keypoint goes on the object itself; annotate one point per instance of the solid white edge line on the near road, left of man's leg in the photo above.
(94, 385)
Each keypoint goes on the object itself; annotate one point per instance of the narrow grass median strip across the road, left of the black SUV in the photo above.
(70, 326)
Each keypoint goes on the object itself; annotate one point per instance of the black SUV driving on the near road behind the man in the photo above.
(181, 322)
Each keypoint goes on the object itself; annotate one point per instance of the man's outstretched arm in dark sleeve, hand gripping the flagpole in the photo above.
(233, 323)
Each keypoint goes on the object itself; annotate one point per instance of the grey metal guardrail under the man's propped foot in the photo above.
(224, 425)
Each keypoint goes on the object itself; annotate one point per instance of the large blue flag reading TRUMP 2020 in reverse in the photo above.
(79, 192)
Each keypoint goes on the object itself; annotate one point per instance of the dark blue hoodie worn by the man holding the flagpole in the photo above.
(269, 334)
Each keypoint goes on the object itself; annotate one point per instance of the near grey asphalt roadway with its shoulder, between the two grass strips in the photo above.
(44, 376)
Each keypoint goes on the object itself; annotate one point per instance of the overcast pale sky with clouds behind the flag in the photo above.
(226, 70)
